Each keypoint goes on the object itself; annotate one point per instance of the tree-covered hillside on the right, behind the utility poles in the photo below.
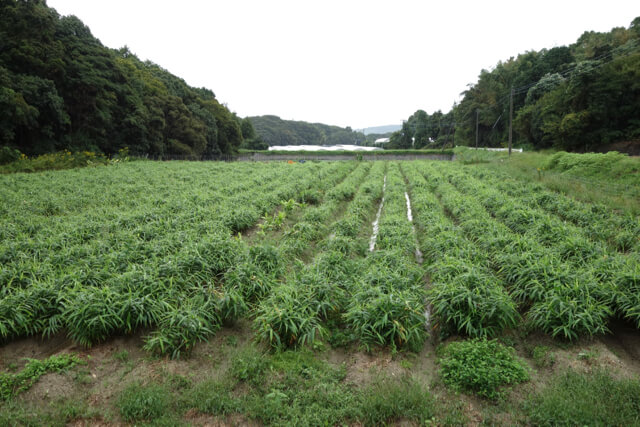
(578, 98)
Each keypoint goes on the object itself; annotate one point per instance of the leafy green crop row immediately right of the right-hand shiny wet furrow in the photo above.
(465, 294)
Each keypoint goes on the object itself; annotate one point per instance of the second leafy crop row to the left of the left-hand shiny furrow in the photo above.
(251, 274)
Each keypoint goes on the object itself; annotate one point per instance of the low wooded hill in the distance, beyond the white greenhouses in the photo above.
(275, 131)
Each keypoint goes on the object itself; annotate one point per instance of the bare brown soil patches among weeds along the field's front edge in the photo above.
(113, 365)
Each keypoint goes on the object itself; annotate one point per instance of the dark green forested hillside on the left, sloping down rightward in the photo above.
(60, 88)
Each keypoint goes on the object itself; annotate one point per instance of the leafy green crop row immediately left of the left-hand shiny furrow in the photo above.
(294, 310)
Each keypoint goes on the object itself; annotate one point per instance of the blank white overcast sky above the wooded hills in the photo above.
(346, 63)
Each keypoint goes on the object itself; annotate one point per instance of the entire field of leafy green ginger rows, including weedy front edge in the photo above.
(387, 258)
